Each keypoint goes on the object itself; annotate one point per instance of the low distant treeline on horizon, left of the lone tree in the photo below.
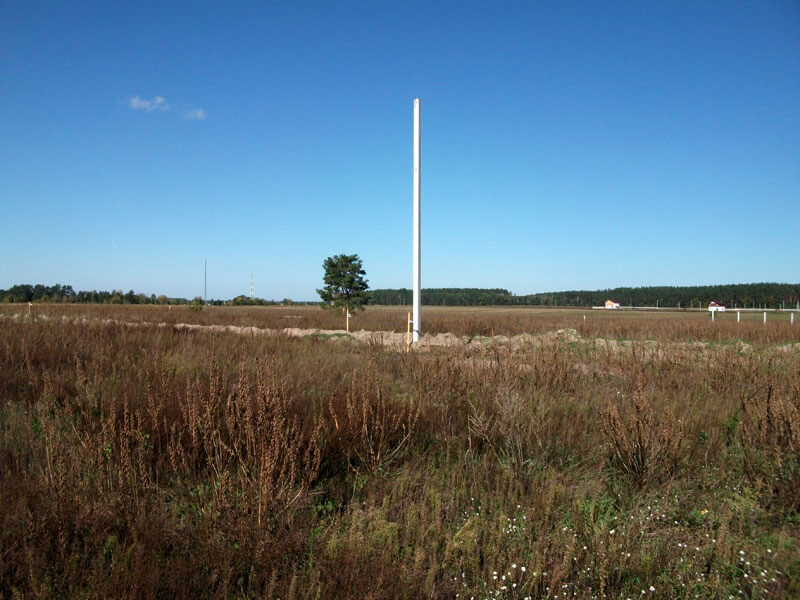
(65, 294)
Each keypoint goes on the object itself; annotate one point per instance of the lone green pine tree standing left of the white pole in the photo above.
(345, 286)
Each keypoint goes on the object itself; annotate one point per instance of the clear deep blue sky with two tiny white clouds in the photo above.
(565, 145)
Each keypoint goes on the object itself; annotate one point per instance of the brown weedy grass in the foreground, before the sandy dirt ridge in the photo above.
(156, 462)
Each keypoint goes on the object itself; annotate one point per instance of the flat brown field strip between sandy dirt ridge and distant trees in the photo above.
(662, 325)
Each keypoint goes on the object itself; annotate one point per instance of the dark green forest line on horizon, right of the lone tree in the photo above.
(758, 295)
